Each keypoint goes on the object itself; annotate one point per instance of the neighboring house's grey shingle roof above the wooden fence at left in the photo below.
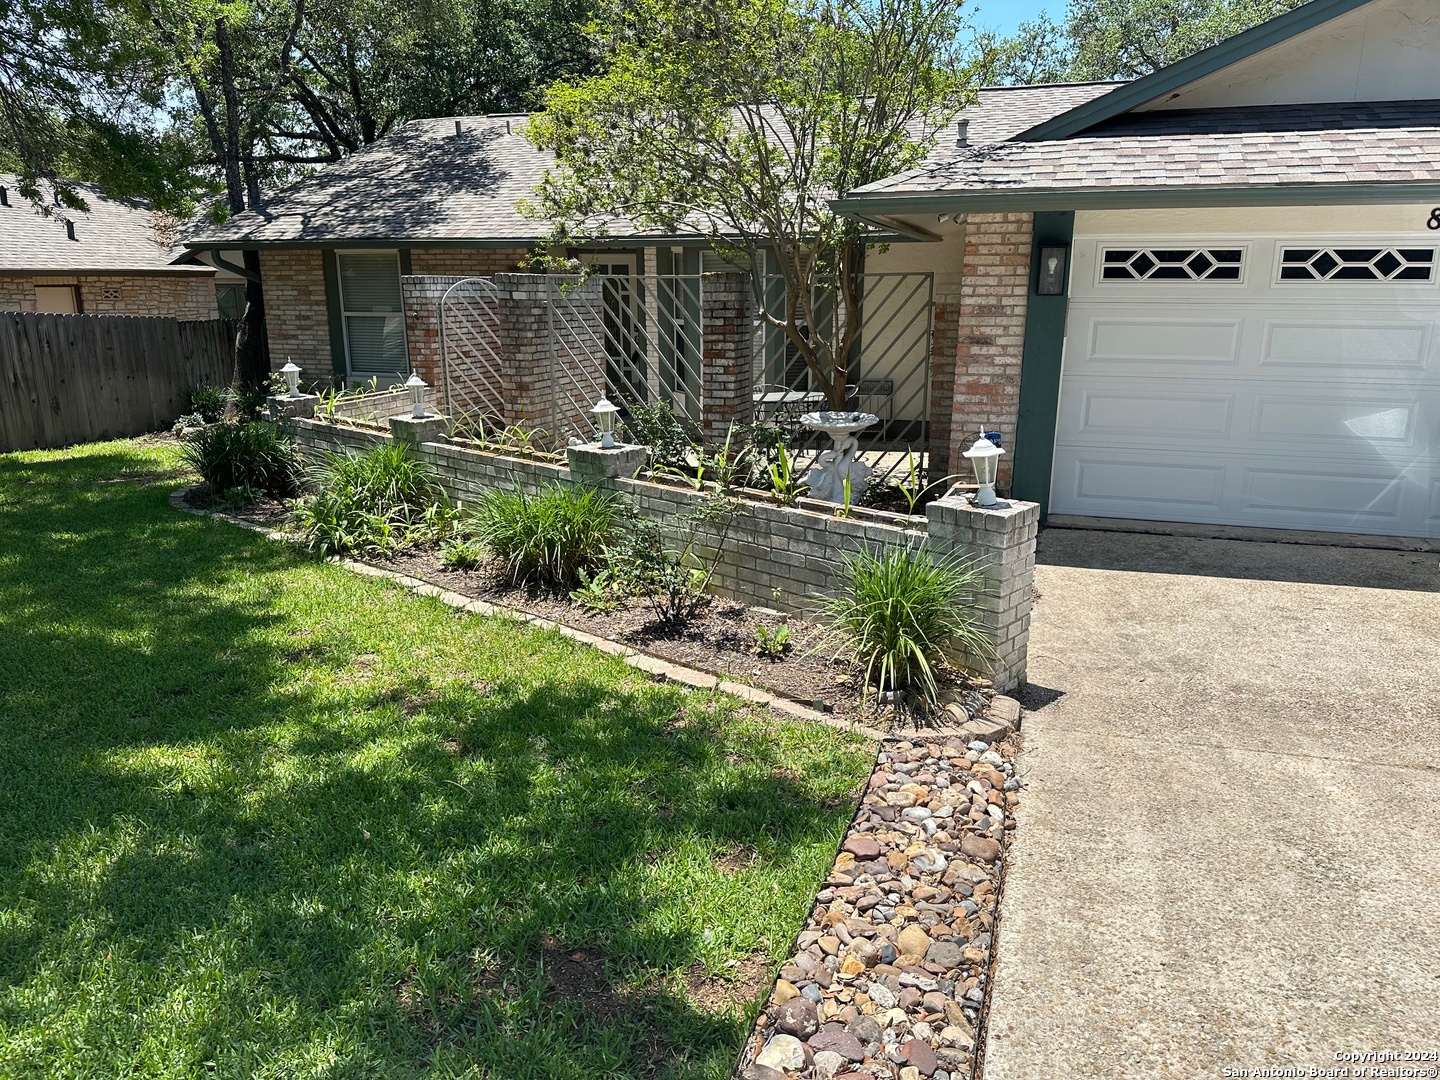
(116, 235)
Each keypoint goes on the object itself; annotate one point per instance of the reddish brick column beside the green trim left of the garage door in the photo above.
(991, 335)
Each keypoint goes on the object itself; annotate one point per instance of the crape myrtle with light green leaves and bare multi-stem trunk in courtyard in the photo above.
(738, 122)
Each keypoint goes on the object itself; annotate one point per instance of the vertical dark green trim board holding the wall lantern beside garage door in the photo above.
(1040, 371)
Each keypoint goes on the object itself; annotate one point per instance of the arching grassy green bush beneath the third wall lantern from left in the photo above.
(551, 536)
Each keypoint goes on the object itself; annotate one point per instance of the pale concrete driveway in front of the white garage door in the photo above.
(1229, 853)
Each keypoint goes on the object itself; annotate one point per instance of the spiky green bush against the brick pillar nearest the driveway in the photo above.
(899, 610)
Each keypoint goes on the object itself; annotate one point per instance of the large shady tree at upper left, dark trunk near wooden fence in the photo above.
(218, 103)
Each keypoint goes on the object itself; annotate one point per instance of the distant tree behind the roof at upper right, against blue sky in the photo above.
(1118, 40)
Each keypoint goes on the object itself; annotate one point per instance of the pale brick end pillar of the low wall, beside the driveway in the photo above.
(1003, 542)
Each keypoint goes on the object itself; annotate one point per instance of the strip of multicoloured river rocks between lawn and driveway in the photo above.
(888, 980)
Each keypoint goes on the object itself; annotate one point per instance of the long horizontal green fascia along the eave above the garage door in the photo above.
(961, 201)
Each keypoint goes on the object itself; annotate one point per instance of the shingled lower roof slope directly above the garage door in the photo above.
(1269, 145)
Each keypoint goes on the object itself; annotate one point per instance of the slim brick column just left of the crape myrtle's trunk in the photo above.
(728, 354)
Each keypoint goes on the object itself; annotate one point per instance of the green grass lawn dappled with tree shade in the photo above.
(264, 817)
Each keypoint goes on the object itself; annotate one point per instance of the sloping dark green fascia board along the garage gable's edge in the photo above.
(1183, 73)
